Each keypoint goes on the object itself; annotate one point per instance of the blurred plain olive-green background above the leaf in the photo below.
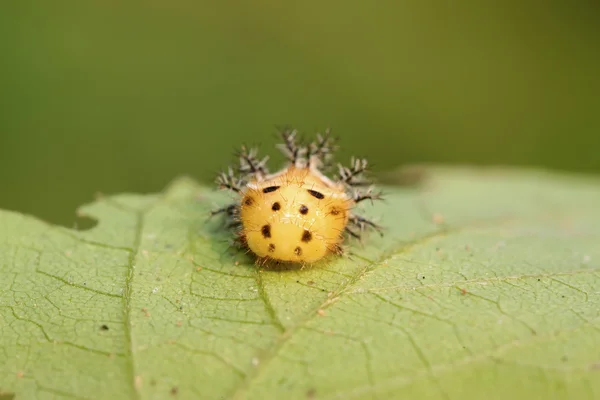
(108, 96)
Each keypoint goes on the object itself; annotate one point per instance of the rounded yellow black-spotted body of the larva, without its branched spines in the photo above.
(293, 218)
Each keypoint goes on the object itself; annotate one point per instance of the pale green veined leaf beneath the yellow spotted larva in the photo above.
(486, 285)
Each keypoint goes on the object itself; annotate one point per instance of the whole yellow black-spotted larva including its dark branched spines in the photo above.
(298, 214)
